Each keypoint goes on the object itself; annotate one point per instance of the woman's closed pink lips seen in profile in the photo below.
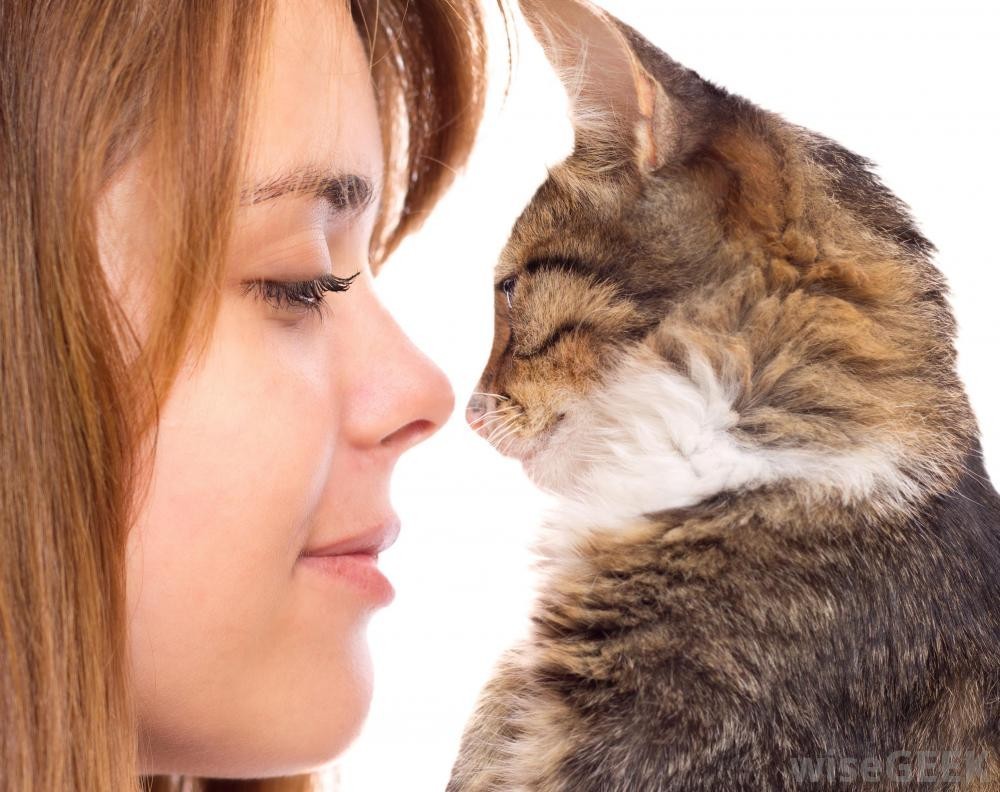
(354, 560)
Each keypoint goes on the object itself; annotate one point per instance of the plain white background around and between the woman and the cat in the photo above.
(905, 83)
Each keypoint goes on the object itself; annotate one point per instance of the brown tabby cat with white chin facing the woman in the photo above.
(720, 340)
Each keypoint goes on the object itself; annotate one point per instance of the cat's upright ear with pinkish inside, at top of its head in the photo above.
(619, 110)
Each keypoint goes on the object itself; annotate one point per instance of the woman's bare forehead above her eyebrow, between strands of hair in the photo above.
(315, 106)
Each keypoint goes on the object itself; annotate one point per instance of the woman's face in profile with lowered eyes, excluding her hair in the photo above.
(249, 655)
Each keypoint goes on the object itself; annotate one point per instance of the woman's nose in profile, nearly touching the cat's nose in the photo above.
(399, 396)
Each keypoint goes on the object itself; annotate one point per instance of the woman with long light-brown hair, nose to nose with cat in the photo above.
(196, 444)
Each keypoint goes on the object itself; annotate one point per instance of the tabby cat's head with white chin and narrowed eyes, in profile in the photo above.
(704, 296)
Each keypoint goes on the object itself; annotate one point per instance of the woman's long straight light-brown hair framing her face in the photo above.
(84, 86)
